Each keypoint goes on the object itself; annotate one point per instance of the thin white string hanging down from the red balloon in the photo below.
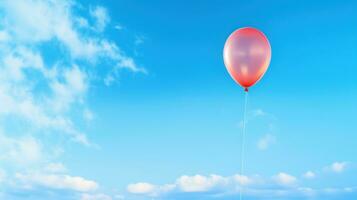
(243, 144)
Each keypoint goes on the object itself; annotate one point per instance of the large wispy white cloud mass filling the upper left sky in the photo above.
(63, 83)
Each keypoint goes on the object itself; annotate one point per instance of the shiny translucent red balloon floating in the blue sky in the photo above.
(247, 56)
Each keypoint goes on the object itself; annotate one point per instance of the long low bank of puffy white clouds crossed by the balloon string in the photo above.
(282, 185)
